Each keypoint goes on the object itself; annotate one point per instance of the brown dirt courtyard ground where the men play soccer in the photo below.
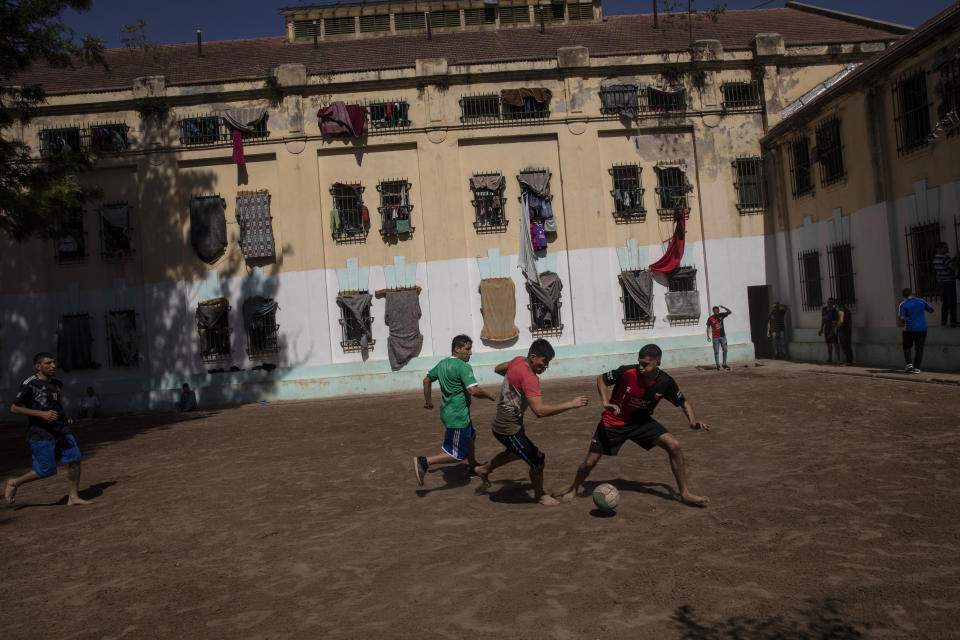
(834, 514)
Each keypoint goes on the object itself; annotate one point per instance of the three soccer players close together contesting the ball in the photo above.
(628, 394)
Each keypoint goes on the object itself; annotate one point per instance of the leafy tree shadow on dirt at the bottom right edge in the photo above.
(817, 620)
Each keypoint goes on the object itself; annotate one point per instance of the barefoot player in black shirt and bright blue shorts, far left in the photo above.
(48, 434)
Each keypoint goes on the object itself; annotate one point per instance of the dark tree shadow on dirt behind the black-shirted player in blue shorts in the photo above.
(91, 436)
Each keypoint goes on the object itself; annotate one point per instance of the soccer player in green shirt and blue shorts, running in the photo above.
(457, 386)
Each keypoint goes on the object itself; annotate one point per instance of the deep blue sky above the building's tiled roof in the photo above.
(175, 21)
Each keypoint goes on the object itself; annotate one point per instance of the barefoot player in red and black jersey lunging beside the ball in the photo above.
(628, 415)
